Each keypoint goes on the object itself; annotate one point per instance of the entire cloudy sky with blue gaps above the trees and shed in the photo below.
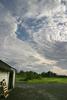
(33, 35)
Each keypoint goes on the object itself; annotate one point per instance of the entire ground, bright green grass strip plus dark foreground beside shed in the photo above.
(44, 89)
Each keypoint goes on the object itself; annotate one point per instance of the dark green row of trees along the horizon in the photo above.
(29, 75)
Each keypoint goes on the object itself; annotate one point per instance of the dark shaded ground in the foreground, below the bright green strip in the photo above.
(25, 91)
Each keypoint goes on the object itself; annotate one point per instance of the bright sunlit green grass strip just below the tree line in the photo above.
(43, 80)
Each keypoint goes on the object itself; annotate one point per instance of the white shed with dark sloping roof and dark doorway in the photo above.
(7, 73)
